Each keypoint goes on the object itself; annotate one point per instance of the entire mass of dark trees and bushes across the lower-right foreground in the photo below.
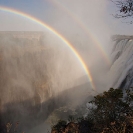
(110, 112)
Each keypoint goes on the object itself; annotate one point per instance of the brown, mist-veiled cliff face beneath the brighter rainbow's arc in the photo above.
(34, 78)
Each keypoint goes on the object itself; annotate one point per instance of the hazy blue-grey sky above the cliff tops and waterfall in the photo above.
(94, 14)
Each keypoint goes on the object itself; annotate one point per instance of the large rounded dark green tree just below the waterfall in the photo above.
(111, 108)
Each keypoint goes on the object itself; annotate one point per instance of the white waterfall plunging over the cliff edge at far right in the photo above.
(121, 71)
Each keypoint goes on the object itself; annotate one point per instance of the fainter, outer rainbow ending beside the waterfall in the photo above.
(84, 27)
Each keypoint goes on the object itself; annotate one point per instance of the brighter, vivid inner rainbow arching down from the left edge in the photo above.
(16, 12)
